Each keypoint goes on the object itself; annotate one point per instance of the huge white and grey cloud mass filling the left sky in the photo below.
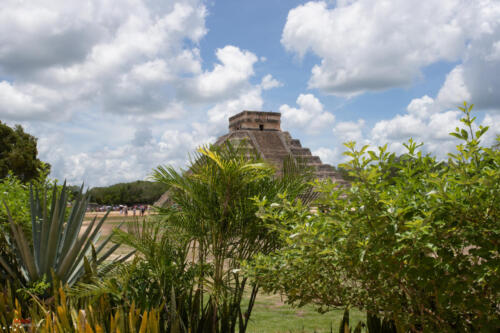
(115, 88)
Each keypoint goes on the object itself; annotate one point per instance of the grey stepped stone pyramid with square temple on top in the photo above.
(262, 131)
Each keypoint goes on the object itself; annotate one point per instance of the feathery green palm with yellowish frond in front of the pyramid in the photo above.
(214, 205)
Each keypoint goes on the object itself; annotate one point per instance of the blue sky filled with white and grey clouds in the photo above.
(114, 88)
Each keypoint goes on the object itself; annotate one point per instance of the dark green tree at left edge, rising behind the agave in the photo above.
(18, 154)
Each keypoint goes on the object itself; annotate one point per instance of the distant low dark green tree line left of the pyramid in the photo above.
(138, 192)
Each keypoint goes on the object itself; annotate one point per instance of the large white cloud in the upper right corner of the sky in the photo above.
(370, 45)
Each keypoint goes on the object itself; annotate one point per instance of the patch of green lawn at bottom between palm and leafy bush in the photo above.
(270, 314)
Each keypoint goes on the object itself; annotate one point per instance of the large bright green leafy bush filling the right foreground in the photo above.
(419, 246)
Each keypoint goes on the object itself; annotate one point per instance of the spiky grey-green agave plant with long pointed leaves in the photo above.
(60, 247)
